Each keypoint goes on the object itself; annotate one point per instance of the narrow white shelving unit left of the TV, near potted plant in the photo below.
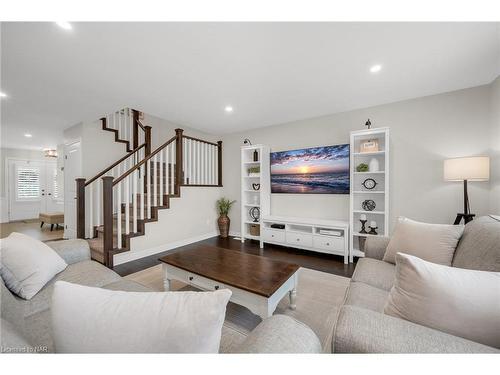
(250, 197)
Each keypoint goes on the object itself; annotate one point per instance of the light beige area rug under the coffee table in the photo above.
(319, 297)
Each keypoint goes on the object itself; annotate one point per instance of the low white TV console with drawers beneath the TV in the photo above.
(305, 234)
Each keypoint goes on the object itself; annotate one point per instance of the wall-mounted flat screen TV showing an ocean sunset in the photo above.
(317, 170)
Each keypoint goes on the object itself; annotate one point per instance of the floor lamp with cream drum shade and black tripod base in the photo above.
(474, 168)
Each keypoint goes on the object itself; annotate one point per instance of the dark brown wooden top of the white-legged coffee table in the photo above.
(256, 274)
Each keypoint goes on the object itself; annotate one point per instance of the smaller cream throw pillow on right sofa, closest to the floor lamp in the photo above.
(432, 242)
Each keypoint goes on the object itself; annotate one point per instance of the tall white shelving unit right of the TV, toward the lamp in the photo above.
(379, 194)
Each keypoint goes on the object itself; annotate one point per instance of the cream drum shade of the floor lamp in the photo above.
(474, 168)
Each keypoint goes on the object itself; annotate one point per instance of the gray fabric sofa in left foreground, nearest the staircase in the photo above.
(25, 325)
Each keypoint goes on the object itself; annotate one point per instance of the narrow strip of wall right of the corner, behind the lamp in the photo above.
(495, 148)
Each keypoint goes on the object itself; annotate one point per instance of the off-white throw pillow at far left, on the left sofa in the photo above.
(27, 264)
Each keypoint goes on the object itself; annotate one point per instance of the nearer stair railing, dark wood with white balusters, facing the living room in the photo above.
(131, 201)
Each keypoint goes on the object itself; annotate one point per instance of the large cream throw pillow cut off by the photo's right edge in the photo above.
(462, 302)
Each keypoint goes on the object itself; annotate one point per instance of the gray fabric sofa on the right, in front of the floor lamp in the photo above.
(362, 326)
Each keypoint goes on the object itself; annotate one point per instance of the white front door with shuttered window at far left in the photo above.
(32, 188)
